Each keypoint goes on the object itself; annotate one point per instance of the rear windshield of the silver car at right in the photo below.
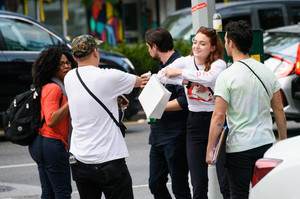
(282, 43)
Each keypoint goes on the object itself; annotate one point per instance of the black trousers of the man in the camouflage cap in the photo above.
(112, 178)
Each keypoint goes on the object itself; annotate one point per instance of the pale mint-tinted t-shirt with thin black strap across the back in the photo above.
(248, 112)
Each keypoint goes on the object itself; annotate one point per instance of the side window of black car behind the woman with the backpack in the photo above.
(23, 36)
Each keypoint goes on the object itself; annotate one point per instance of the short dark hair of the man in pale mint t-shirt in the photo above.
(241, 34)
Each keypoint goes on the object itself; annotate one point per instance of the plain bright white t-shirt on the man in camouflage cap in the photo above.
(95, 136)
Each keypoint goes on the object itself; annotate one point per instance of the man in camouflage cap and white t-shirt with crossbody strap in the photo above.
(97, 143)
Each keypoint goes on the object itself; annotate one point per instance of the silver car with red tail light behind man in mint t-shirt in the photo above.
(282, 56)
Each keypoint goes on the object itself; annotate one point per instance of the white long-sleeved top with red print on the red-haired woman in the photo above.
(207, 79)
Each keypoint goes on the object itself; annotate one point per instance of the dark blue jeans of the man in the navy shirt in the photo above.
(169, 159)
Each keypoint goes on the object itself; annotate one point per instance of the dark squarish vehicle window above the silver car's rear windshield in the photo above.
(270, 18)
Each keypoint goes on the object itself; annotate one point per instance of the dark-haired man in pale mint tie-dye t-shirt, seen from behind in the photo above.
(246, 100)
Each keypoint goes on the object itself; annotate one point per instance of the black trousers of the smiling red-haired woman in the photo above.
(197, 137)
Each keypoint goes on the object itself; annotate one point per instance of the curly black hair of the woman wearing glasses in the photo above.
(47, 64)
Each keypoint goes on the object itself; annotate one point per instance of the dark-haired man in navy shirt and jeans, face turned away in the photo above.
(168, 134)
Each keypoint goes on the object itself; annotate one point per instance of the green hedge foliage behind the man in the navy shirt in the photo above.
(138, 54)
